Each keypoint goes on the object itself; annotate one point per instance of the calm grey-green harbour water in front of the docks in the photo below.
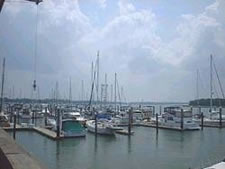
(143, 150)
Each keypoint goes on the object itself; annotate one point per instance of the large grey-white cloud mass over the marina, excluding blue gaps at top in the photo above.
(130, 44)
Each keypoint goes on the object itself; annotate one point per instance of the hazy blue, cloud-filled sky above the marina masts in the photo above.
(154, 46)
